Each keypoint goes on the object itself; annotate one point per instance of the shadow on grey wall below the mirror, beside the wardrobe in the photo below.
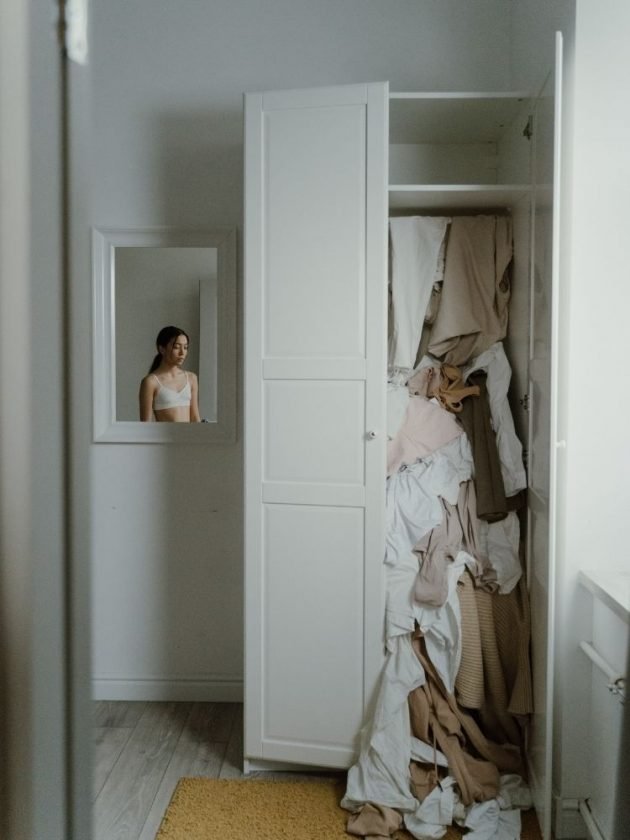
(200, 579)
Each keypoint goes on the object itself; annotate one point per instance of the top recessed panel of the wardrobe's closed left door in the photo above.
(314, 177)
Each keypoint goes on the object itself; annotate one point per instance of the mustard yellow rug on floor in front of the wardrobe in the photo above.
(216, 809)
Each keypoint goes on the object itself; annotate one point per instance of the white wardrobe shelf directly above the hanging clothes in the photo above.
(431, 196)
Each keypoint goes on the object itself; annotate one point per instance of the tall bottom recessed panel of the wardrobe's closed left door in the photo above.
(313, 637)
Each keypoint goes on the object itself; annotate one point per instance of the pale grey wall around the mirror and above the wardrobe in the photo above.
(168, 80)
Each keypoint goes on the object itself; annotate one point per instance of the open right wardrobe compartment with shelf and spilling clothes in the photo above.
(447, 741)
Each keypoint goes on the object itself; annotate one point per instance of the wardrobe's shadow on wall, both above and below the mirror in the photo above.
(198, 182)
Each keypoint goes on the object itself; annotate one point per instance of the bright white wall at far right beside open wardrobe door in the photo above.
(595, 301)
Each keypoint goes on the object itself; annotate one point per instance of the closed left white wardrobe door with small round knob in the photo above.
(315, 338)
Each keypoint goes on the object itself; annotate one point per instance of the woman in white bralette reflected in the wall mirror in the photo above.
(169, 394)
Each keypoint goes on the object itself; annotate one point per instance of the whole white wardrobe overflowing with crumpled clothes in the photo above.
(325, 634)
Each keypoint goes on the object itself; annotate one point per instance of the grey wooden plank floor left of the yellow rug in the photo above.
(143, 749)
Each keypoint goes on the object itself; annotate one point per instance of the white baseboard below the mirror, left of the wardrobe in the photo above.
(171, 689)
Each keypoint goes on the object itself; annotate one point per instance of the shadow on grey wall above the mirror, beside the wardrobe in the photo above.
(197, 170)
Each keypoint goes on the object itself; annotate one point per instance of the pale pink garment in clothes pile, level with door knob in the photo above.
(425, 428)
